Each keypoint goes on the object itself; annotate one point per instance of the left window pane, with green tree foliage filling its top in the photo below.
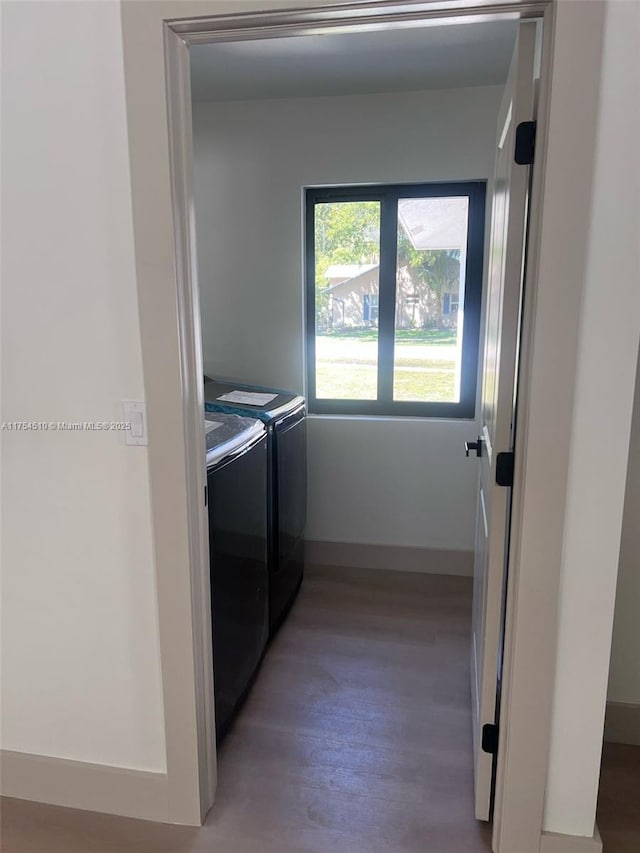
(347, 259)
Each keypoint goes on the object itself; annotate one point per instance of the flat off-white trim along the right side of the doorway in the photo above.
(545, 409)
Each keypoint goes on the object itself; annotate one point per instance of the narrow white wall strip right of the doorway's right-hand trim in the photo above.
(601, 428)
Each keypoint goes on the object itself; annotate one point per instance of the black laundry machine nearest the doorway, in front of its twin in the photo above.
(236, 453)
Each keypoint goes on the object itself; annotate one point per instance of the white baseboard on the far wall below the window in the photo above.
(432, 561)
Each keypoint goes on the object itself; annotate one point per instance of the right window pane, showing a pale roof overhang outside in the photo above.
(432, 240)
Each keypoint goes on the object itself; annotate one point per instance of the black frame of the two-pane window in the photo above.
(388, 196)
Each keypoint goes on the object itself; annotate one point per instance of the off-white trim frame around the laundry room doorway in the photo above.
(173, 365)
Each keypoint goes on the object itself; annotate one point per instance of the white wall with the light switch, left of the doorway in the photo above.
(80, 662)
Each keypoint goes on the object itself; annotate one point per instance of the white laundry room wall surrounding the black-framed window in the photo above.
(381, 481)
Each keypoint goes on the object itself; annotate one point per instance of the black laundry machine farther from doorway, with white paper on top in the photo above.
(284, 415)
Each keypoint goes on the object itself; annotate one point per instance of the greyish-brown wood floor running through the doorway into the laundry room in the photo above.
(356, 737)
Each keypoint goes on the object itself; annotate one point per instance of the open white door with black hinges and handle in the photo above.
(508, 224)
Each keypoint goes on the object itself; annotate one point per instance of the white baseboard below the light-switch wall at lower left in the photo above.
(82, 785)
